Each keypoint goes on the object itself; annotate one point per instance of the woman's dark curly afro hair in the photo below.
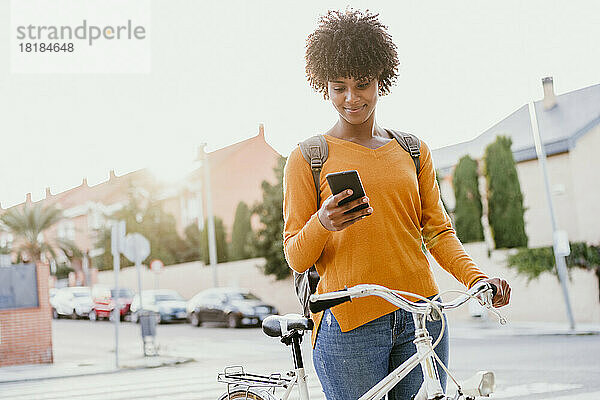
(350, 44)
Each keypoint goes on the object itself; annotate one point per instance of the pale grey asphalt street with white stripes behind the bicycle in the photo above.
(533, 367)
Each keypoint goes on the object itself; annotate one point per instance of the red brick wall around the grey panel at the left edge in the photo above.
(26, 333)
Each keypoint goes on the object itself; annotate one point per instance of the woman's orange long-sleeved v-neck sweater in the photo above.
(384, 248)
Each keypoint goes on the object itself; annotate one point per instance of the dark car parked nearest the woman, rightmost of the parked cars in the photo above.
(234, 306)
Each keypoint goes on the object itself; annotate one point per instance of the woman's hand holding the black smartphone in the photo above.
(332, 215)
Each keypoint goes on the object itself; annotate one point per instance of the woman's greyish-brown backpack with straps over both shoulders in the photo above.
(315, 151)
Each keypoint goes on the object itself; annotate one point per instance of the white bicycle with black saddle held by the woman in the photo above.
(291, 327)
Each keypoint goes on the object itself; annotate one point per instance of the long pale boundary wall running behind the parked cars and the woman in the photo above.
(539, 300)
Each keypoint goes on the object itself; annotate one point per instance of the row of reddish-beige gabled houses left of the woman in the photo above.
(237, 172)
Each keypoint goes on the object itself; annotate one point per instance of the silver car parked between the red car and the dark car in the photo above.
(168, 305)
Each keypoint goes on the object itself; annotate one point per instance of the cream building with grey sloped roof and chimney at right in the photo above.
(569, 126)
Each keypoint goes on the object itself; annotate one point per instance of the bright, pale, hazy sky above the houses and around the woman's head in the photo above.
(218, 69)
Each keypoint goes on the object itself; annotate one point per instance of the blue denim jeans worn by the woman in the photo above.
(350, 363)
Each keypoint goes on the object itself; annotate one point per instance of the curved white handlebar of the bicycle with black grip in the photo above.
(320, 302)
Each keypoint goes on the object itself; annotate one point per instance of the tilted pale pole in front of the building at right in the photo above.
(561, 266)
